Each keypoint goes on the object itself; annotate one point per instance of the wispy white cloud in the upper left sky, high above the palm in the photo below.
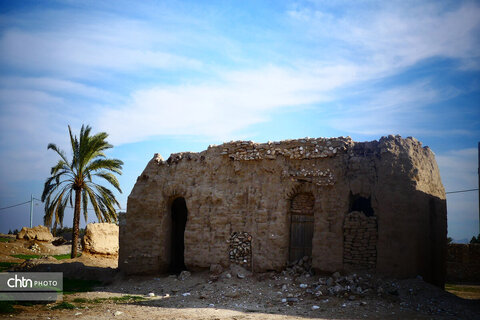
(89, 46)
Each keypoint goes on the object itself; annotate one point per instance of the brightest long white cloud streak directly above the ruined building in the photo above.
(219, 108)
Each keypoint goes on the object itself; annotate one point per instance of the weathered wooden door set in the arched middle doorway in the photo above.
(301, 226)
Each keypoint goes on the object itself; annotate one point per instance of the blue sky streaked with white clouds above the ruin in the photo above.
(176, 76)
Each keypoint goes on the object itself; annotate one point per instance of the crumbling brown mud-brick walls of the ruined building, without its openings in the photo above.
(247, 188)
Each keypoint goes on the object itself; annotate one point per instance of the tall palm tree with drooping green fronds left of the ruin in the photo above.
(75, 177)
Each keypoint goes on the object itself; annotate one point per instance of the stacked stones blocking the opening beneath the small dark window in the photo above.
(360, 240)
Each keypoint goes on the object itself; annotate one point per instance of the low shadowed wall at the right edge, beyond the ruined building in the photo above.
(463, 262)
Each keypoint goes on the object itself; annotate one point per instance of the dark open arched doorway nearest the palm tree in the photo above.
(179, 220)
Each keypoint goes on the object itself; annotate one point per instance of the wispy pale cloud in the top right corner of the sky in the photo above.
(397, 35)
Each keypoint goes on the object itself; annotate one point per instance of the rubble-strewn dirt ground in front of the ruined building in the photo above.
(232, 294)
